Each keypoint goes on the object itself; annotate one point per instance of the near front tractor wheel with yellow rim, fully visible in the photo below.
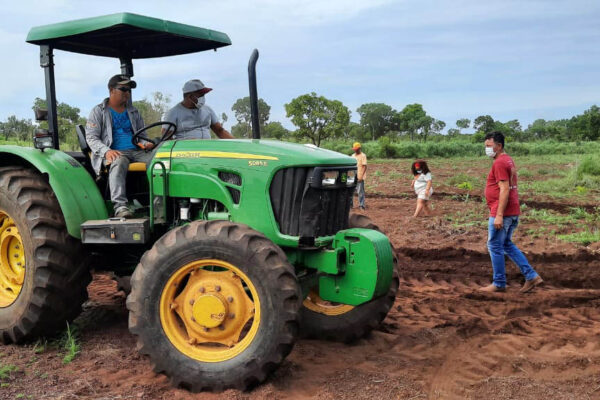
(215, 306)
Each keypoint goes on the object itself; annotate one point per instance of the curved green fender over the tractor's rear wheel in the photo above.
(77, 193)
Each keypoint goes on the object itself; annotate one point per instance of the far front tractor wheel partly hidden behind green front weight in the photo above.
(321, 319)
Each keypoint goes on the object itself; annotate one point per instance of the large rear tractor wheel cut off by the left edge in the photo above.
(43, 275)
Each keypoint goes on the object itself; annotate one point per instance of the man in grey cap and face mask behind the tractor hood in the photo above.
(194, 119)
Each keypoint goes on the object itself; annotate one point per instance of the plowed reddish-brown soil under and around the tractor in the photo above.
(442, 340)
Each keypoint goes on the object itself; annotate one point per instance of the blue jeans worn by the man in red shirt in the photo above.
(500, 244)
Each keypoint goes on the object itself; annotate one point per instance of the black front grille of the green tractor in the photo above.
(304, 208)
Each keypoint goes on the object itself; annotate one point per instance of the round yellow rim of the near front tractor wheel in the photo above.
(210, 310)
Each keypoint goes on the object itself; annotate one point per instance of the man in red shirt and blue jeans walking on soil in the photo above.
(502, 197)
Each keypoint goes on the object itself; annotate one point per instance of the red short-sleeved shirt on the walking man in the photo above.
(503, 169)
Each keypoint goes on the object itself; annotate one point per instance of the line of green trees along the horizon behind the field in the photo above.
(318, 119)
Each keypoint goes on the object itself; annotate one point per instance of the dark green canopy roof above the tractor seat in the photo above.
(127, 36)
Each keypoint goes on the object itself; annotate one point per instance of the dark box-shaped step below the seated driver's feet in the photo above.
(116, 231)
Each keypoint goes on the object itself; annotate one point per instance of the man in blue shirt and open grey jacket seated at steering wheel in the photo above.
(109, 131)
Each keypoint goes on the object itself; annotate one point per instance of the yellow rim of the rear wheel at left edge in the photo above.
(12, 260)
